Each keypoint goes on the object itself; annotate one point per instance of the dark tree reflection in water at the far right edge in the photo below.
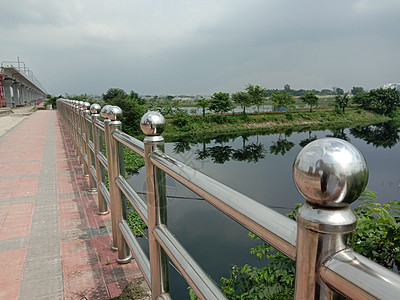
(384, 135)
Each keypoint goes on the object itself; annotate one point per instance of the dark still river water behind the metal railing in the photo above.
(259, 166)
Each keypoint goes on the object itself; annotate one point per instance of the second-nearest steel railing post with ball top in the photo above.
(153, 125)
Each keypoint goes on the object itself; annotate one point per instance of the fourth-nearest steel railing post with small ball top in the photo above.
(98, 142)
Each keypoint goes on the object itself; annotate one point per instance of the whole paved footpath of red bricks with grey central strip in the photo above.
(53, 244)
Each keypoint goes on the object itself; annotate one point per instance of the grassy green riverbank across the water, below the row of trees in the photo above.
(184, 126)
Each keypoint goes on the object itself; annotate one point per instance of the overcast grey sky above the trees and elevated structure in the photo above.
(201, 47)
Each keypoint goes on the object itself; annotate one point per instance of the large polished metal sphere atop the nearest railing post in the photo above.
(330, 172)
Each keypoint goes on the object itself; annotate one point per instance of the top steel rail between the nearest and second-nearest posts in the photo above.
(266, 223)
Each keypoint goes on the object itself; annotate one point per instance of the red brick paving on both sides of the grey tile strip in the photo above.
(89, 267)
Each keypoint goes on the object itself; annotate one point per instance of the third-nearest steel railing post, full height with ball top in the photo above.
(118, 209)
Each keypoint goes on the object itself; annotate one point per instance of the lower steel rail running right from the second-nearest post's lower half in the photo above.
(187, 266)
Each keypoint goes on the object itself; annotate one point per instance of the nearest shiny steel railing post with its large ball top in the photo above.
(330, 174)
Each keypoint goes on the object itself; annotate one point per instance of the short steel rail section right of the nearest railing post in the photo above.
(357, 277)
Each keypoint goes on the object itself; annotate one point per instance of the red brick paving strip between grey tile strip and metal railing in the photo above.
(89, 265)
